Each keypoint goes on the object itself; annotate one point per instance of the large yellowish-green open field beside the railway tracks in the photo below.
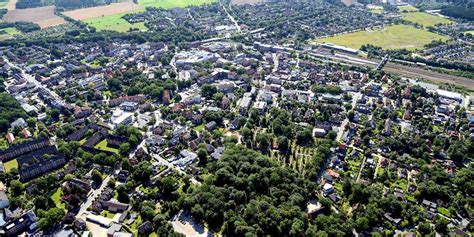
(391, 37)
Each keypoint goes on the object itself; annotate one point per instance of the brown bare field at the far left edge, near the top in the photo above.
(43, 16)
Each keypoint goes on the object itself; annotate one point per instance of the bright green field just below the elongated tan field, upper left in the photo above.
(114, 22)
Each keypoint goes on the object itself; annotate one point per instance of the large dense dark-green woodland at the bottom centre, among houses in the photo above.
(247, 193)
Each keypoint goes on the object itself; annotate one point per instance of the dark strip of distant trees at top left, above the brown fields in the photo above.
(62, 4)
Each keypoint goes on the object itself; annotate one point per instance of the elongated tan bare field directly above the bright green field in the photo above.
(94, 12)
